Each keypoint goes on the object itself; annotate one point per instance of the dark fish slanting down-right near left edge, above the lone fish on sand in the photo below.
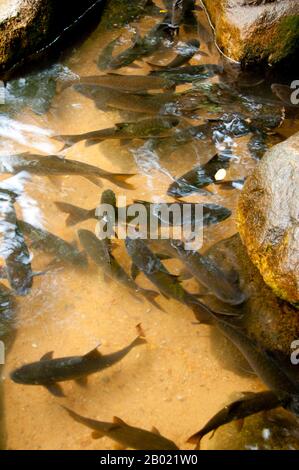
(52, 245)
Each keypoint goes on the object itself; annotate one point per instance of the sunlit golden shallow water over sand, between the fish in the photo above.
(175, 383)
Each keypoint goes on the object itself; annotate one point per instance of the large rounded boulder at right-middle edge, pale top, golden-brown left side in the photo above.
(268, 217)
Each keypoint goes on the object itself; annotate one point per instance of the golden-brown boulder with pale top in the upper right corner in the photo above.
(256, 31)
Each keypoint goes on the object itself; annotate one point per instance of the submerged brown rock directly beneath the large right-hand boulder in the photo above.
(272, 322)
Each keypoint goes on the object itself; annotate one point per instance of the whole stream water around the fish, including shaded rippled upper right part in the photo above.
(179, 379)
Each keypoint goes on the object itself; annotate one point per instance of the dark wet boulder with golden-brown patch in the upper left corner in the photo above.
(28, 25)
